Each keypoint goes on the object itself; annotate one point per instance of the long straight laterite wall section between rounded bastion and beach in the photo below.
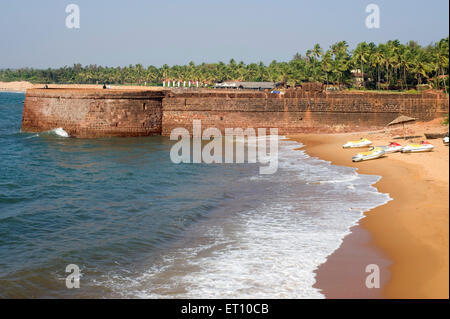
(298, 111)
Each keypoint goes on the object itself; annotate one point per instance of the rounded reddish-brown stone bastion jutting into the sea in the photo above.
(93, 113)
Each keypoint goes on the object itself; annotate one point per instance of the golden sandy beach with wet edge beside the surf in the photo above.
(409, 236)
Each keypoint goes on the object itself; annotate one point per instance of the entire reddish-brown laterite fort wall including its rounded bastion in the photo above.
(91, 113)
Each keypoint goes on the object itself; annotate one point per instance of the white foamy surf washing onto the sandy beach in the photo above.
(269, 251)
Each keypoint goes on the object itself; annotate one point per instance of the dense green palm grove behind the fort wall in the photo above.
(391, 65)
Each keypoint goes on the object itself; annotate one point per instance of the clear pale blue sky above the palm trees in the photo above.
(118, 33)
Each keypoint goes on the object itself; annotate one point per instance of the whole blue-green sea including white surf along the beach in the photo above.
(137, 225)
